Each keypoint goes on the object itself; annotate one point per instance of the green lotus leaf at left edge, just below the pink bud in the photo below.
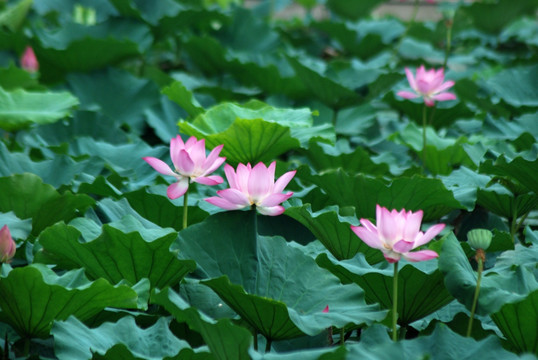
(32, 297)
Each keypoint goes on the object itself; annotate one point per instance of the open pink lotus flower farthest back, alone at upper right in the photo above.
(429, 85)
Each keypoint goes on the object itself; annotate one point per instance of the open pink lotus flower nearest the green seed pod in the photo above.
(397, 233)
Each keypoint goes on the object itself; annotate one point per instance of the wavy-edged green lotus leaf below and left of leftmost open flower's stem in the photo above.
(116, 254)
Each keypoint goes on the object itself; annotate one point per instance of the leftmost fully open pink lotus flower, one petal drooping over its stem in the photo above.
(190, 163)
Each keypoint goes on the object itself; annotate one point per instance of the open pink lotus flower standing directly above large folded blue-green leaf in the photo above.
(254, 186)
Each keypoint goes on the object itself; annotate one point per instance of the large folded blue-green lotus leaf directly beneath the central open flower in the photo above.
(273, 286)
